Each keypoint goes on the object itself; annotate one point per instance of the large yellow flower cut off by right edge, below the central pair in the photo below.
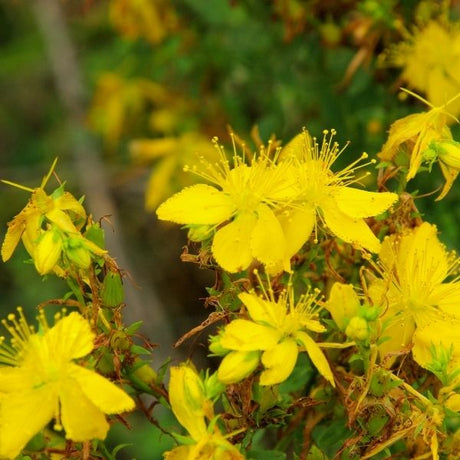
(420, 304)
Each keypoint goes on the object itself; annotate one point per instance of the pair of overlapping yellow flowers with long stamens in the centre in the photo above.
(265, 210)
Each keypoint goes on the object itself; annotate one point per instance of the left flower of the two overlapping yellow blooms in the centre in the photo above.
(241, 208)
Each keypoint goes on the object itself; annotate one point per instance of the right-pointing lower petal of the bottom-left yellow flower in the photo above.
(104, 394)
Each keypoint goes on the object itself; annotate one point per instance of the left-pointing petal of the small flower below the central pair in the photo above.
(245, 335)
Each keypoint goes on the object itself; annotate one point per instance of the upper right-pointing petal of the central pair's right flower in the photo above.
(361, 203)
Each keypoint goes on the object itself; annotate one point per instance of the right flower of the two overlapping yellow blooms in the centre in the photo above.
(326, 195)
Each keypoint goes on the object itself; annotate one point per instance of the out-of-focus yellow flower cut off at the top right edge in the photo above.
(430, 59)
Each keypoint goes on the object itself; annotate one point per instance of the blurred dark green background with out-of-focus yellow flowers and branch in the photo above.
(126, 92)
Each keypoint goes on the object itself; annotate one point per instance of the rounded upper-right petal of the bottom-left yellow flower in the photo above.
(71, 337)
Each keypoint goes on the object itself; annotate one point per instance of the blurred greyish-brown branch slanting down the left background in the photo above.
(89, 168)
